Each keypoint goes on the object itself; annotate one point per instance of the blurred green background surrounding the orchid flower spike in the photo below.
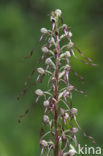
(20, 23)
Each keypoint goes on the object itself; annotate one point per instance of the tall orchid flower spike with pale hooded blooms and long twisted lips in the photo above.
(61, 133)
